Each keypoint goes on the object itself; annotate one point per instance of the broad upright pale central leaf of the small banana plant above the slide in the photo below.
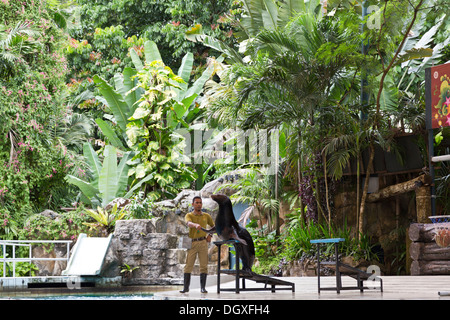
(108, 182)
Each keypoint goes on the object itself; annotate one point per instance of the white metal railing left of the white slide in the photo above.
(28, 243)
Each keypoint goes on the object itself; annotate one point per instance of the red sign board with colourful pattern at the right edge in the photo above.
(437, 96)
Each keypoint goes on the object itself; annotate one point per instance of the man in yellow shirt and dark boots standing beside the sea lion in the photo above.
(197, 220)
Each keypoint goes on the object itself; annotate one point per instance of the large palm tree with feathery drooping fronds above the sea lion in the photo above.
(289, 79)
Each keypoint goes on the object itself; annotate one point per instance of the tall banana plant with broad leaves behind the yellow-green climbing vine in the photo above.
(124, 97)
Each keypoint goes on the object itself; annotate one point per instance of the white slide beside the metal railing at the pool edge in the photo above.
(87, 256)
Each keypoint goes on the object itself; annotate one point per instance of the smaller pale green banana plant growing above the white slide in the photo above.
(108, 180)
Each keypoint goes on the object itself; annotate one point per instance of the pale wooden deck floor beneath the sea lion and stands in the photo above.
(395, 288)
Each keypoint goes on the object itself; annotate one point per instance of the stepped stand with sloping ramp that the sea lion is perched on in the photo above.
(274, 283)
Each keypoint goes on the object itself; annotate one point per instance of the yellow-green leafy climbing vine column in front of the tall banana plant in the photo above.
(149, 132)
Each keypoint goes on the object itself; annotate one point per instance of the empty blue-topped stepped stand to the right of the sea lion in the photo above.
(343, 269)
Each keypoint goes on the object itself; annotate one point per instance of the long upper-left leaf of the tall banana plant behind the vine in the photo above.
(116, 103)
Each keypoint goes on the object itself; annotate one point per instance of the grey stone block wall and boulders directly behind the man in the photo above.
(154, 246)
